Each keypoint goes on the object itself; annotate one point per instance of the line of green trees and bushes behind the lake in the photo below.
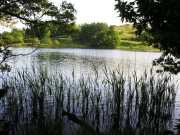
(94, 35)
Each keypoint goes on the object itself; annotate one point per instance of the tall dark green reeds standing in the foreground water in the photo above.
(38, 102)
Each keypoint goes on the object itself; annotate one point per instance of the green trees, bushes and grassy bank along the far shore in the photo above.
(86, 36)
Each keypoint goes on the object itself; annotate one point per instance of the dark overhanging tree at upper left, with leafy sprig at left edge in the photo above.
(32, 13)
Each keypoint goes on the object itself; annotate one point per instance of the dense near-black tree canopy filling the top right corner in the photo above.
(160, 18)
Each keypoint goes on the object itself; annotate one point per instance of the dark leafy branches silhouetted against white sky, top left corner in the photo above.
(32, 11)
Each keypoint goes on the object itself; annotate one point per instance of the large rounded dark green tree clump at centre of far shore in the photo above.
(98, 35)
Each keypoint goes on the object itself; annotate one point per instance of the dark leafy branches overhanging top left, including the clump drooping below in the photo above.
(38, 14)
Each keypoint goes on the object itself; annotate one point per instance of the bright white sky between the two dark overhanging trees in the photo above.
(94, 11)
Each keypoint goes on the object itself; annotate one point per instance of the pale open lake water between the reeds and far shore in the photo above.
(83, 61)
